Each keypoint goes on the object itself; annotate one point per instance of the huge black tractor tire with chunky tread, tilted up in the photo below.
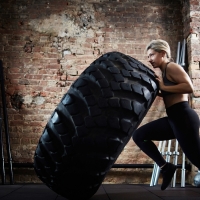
(93, 122)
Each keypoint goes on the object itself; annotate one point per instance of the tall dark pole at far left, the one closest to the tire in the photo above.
(5, 117)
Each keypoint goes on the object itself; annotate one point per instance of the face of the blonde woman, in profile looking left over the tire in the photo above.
(155, 58)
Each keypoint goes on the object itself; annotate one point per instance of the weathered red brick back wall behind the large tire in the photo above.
(45, 46)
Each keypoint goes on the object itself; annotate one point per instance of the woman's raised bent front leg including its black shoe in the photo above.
(157, 130)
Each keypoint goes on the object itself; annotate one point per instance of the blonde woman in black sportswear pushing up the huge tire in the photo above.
(181, 122)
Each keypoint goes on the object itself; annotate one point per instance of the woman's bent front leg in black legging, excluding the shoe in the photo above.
(157, 130)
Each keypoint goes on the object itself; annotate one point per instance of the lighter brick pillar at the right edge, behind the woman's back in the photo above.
(191, 13)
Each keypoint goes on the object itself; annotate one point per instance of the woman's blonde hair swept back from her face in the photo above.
(160, 45)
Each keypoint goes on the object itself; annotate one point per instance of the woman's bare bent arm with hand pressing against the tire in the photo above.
(176, 74)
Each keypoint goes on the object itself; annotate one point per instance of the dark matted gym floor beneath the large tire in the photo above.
(105, 192)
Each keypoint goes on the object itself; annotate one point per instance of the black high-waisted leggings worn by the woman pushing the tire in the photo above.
(182, 123)
